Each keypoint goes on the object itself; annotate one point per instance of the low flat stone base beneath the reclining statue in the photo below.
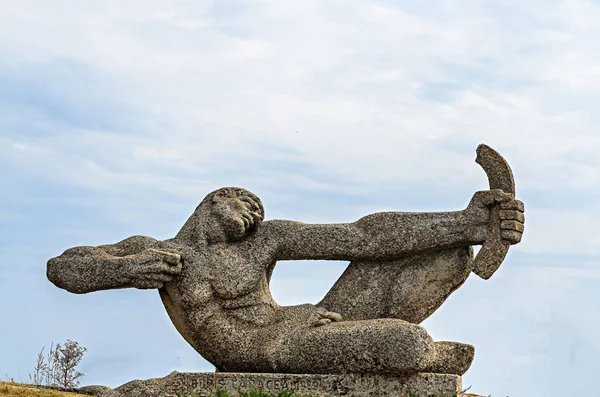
(356, 385)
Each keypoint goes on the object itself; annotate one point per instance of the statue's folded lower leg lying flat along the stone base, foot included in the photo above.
(369, 346)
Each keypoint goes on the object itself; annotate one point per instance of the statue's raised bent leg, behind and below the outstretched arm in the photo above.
(409, 289)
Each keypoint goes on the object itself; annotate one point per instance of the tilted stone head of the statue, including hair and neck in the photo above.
(226, 214)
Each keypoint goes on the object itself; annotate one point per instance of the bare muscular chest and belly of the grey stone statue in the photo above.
(221, 283)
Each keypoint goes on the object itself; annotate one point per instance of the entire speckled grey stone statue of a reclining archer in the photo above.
(213, 279)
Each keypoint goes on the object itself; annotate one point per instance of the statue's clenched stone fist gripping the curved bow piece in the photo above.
(512, 218)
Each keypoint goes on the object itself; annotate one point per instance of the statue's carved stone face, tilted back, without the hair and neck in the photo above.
(237, 216)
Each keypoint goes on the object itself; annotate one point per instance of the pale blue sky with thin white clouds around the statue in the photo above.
(117, 118)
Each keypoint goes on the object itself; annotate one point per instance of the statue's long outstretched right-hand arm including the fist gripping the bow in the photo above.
(390, 235)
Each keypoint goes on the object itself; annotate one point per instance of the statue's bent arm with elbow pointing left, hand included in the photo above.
(113, 266)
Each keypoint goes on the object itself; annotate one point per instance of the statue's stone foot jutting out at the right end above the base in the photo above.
(451, 358)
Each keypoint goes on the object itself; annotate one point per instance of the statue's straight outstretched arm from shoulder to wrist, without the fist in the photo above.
(379, 236)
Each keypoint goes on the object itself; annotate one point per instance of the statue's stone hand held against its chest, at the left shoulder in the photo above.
(151, 268)
